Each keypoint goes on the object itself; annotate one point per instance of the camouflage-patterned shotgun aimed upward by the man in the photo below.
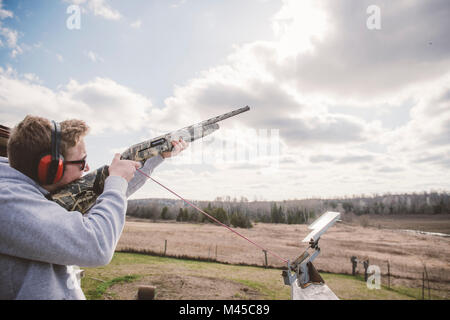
(81, 194)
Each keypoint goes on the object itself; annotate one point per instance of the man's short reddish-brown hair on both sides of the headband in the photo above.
(31, 139)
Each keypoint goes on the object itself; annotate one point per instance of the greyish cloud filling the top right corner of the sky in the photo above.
(348, 60)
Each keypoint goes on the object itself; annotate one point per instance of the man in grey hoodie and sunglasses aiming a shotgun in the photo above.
(41, 241)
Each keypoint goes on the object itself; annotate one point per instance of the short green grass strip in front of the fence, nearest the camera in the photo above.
(178, 279)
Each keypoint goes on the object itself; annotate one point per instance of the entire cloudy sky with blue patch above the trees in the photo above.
(347, 97)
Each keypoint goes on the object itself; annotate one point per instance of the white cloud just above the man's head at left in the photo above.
(103, 103)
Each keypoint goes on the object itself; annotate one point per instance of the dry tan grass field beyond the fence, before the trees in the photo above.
(406, 252)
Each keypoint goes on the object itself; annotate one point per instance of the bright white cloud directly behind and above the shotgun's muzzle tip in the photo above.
(302, 120)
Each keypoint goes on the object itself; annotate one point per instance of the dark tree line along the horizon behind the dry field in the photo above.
(242, 213)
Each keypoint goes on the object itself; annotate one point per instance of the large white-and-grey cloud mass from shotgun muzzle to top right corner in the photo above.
(297, 88)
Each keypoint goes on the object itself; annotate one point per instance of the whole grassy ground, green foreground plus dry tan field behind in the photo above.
(406, 252)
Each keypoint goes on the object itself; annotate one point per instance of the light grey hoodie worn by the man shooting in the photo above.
(41, 242)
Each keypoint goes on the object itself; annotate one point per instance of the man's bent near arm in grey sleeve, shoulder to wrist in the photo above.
(33, 228)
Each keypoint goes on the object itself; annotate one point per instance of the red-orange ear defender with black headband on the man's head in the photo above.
(51, 166)
